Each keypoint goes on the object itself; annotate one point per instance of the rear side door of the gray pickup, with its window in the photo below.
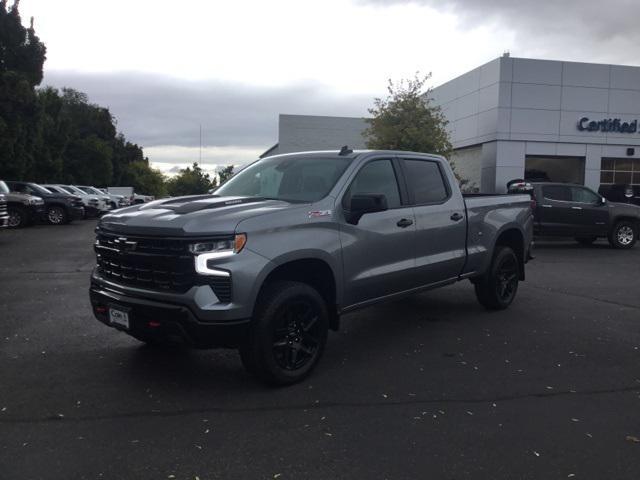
(441, 230)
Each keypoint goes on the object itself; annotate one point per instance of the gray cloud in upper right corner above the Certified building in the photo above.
(585, 30)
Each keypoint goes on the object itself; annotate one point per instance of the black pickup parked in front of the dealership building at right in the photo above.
(568, 210)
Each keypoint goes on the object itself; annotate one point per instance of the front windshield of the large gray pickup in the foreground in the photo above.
(293, 179)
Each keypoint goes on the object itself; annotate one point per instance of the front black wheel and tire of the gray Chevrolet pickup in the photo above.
(287, 335)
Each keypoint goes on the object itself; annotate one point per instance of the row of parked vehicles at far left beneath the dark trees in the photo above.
(25, 203)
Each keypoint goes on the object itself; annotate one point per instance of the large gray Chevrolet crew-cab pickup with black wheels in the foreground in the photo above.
(270, 262)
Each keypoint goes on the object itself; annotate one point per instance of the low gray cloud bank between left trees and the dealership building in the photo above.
(156, 110)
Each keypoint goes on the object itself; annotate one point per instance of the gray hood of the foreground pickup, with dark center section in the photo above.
(201, 215)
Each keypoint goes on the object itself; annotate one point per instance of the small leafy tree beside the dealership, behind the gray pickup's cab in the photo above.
(407, 120)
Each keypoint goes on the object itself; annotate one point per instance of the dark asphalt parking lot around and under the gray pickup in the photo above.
(428, 387)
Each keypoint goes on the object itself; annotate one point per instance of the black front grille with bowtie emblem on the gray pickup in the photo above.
(153, 263)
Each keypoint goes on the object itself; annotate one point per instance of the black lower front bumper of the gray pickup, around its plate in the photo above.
(152, 319)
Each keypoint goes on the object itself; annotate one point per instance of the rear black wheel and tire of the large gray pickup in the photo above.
(497, 289)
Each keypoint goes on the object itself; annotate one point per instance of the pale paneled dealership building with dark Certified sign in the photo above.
(516, 117)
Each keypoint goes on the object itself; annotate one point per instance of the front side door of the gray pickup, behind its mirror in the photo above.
(378, 253)
